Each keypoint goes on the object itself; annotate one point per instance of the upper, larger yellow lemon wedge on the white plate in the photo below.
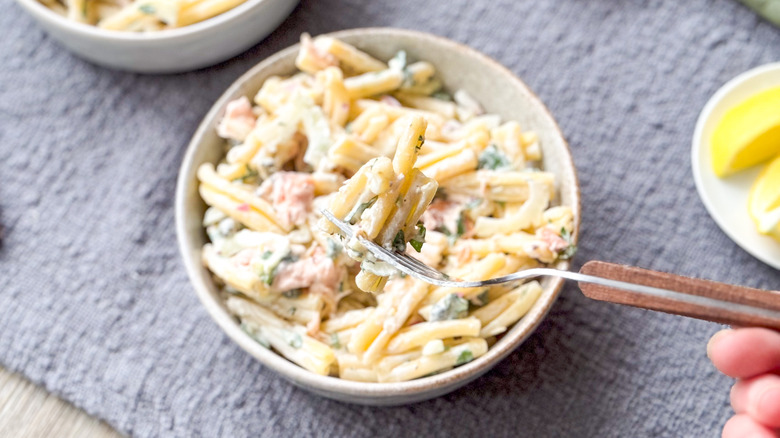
(748, 134)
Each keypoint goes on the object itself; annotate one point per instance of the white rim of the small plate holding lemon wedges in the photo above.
(699, 143)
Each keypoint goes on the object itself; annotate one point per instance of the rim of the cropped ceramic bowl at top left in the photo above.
(90, 31)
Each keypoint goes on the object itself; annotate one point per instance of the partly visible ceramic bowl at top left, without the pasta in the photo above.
(167, 51)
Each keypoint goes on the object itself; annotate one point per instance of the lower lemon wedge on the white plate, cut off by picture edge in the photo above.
(764, 200)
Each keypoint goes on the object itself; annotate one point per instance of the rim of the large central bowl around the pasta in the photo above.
(327, 384)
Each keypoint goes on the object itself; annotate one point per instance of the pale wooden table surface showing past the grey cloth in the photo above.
(29, 411)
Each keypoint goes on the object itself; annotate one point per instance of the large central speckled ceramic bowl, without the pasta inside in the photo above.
(460, 68)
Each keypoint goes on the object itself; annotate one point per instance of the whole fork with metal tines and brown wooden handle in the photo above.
(602, 281)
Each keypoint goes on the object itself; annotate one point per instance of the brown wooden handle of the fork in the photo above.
(736, 315)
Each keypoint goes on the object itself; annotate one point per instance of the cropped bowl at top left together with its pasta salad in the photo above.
(158, 36)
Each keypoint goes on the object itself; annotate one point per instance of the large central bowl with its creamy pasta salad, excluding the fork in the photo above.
(422, 145)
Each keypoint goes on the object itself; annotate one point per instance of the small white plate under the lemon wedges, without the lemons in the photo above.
(726, 199)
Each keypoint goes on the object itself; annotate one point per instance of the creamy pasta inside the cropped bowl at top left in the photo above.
(140, 15)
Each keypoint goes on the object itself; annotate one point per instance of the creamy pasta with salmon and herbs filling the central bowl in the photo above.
(381, 145)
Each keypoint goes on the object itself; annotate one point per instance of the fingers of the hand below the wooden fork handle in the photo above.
(752, 356)
